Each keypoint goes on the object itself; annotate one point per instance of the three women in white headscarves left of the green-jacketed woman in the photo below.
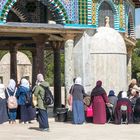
(25, 111)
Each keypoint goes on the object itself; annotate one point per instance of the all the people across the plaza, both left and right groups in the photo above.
(99, 102)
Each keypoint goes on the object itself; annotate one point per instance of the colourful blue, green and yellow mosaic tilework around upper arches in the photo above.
(80, 13)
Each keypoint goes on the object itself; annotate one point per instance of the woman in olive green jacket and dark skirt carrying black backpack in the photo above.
(42, 108)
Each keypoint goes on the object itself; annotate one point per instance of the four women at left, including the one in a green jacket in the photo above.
(24, 109)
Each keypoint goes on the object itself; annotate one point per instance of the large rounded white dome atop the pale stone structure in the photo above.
(108, 40)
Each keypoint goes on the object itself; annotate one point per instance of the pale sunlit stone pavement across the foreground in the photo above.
(68, 131)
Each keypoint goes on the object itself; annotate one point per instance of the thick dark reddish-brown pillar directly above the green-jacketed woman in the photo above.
(39, 54)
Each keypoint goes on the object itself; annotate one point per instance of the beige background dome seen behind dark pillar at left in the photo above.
(21, 59)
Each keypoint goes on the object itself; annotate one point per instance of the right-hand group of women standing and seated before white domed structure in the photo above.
(124, 107)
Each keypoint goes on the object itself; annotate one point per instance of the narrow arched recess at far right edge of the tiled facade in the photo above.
(131, 31)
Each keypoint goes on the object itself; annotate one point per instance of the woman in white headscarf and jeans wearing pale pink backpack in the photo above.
(11, 91)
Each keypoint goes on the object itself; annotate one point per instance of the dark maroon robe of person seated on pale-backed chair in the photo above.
(118, 112)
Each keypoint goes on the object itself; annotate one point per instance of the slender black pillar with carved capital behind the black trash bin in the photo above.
(56, 45)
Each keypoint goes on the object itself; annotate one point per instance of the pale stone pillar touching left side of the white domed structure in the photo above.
(69, 62)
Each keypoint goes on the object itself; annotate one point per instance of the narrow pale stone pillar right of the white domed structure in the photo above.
(129, 63)
